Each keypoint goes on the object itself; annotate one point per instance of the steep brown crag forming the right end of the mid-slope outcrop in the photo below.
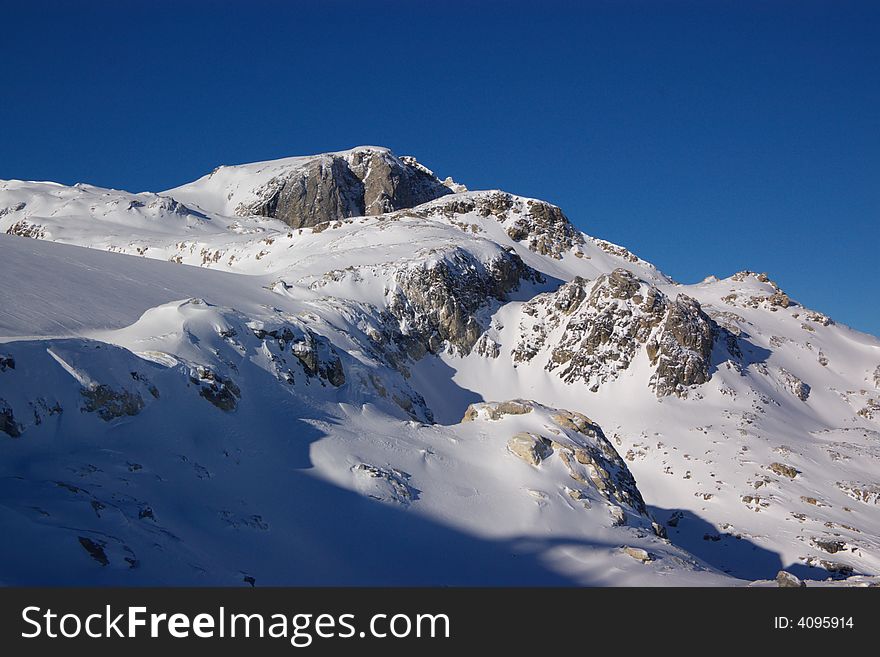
(682, 350)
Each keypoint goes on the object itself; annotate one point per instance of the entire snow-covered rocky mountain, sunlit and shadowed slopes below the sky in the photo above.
(340, 369)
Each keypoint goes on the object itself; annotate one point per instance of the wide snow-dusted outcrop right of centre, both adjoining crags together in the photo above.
(591, 332)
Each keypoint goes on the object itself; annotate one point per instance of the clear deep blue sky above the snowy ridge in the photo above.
(708, 137)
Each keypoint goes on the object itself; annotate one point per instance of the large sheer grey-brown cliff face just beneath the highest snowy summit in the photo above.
(334, 187)
